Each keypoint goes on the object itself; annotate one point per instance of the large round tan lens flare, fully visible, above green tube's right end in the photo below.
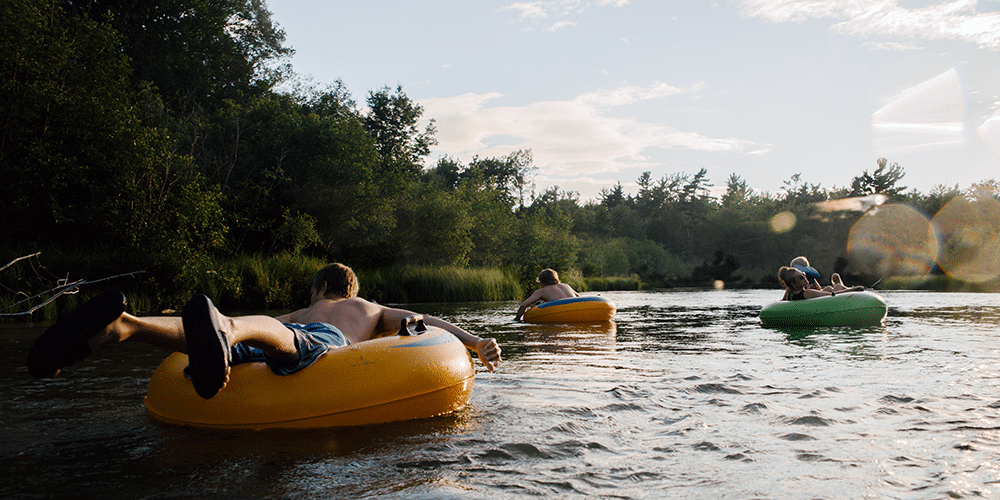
(895, 241)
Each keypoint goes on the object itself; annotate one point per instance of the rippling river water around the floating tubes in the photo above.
(684, 395)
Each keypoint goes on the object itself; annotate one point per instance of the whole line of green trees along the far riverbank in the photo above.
(160, 135)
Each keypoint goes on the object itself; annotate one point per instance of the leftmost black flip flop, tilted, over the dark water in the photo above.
(65, 342)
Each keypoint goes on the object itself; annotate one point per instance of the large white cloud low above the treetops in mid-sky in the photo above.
(577, 136)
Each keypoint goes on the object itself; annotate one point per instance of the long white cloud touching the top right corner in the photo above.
(955, 20)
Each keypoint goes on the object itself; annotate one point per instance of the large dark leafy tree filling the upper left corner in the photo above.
(78, 161)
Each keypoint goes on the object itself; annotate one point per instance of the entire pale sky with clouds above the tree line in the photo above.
(601, 91)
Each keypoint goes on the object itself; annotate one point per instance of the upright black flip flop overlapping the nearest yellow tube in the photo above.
(207, 347)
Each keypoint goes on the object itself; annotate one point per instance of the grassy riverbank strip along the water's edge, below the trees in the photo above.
(251, 283)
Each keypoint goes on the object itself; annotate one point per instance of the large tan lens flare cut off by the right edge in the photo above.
(970, 238)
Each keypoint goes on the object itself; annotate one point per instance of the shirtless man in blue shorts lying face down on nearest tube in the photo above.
(336, 317)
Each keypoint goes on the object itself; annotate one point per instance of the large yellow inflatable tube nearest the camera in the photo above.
(419, 373)
